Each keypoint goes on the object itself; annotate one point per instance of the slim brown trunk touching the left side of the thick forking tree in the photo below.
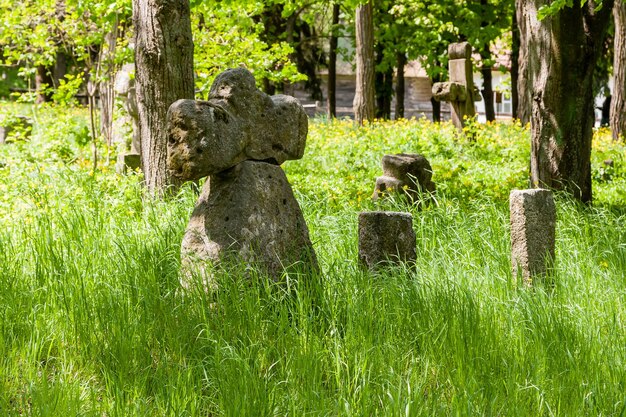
(524, 100)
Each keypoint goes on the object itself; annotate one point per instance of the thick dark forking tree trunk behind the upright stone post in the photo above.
(562, 52)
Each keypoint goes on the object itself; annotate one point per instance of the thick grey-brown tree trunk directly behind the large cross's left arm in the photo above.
(163, 74)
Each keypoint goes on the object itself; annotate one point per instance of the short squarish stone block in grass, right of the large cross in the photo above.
(385, 238)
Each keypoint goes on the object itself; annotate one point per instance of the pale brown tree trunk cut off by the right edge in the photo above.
(618, 101)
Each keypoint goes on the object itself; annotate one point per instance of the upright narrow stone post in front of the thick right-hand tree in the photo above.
(533, 223)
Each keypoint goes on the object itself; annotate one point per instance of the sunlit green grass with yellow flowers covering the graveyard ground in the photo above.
(92, 321)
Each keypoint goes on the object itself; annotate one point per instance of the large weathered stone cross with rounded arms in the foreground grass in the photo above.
(247, 210)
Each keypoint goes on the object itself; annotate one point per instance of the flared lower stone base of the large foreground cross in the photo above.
(249, 212)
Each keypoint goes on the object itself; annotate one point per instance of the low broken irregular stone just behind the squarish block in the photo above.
(408, 174)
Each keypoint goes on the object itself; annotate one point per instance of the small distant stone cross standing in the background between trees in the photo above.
(459, 91)
